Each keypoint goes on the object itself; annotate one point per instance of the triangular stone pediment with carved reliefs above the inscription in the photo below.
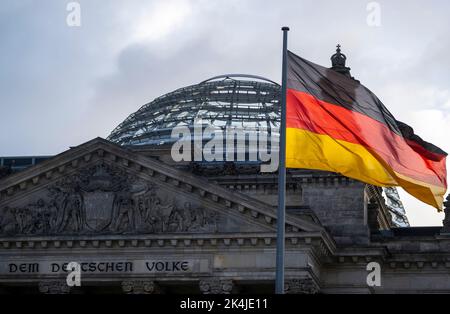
(101, 188)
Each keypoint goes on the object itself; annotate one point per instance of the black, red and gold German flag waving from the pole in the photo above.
(334, 123)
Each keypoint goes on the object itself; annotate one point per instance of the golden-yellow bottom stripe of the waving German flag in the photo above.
(309, 150)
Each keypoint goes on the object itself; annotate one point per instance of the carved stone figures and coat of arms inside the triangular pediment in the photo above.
(104, 199)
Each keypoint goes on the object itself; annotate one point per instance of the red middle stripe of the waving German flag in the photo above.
(307, 112)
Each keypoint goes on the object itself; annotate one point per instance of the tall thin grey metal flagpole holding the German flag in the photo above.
(279, 278)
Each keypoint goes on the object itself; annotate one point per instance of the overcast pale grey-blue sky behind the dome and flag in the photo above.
(61, 86)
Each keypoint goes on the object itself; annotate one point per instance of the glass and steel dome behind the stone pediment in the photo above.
(246, 101)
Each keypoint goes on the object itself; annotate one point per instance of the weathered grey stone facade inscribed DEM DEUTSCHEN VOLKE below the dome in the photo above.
(138, 224)
